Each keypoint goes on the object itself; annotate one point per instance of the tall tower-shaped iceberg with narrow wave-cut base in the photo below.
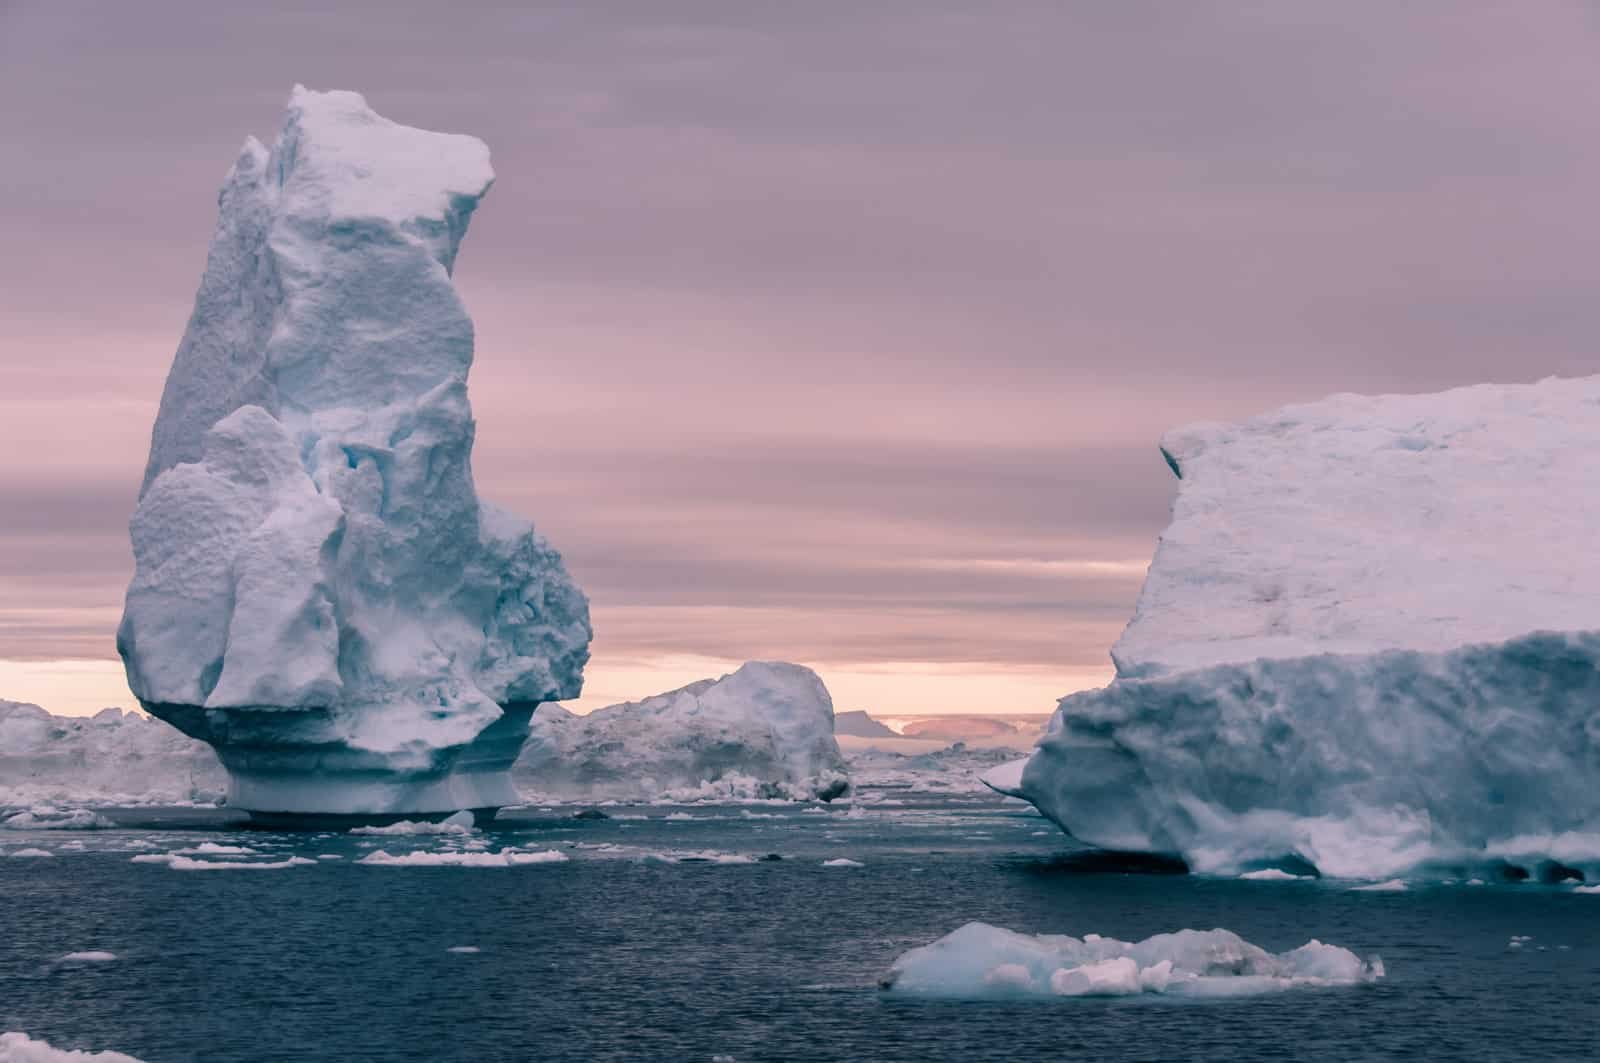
(319, 592)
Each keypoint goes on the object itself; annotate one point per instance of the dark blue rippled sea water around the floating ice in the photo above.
(614, 957)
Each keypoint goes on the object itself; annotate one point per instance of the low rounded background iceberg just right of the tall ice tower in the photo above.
(761, 732)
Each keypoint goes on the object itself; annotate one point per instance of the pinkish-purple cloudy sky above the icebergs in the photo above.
(809, 334)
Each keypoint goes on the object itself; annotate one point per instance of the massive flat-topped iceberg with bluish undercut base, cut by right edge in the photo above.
(1369, 640)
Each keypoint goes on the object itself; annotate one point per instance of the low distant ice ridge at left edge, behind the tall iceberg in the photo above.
(110, 758)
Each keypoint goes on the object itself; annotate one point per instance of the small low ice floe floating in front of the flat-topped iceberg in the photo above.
(985, 961)
